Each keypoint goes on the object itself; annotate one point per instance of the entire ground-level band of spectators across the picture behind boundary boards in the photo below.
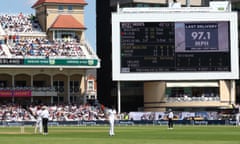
(96, 112)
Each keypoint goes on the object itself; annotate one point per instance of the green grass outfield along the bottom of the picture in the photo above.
(124, 135)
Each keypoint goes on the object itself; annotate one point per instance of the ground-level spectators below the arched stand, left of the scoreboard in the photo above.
(61, 112)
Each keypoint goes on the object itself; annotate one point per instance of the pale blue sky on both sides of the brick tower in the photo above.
(24, 6)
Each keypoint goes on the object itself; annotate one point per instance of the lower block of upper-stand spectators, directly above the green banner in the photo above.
(43, 47)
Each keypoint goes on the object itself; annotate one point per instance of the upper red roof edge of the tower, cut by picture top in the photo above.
(39, 2)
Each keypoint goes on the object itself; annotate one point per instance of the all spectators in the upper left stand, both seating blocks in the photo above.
(15, 24)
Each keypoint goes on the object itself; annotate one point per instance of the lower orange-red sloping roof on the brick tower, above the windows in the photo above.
(66, 22)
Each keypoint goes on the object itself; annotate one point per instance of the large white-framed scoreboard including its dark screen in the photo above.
(175, 46)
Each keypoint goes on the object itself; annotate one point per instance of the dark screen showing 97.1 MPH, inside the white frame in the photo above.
(174, 46)
